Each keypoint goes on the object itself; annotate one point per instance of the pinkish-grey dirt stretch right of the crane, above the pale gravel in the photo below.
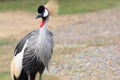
(93, 26)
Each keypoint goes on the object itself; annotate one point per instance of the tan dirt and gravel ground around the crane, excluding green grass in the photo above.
(86, 45)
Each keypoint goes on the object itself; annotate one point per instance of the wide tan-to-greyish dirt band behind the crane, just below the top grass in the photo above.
(68, 28)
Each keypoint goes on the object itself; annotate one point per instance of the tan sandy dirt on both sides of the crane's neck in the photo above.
(19, 23)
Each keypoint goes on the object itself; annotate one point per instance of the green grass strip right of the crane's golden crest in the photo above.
(84, 6)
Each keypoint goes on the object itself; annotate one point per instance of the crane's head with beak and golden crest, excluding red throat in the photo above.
(51, 8)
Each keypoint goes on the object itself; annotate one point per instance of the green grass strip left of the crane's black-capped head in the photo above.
(23, 5)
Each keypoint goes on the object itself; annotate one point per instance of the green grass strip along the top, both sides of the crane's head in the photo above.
(66, 6)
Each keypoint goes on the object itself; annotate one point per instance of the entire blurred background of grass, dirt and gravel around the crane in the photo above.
(86, 35)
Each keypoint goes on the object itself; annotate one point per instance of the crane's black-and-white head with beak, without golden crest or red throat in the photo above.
(42, 12)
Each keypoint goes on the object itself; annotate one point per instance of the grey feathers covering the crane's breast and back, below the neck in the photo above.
(39, 49)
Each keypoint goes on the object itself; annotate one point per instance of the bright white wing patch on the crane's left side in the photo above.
(18, 59)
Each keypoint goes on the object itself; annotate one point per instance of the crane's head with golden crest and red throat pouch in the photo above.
(51, 8)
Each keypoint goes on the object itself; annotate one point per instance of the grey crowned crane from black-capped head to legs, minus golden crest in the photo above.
(33, 53)
